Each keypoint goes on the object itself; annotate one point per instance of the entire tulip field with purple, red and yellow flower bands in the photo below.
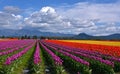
(33, 56)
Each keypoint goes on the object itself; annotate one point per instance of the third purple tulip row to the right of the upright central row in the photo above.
(81, 53)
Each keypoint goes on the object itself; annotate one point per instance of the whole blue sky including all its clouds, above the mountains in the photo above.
(95, 17)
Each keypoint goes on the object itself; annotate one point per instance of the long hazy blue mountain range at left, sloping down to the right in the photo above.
(12, 33)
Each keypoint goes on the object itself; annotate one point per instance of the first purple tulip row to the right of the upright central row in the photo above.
(56, 59)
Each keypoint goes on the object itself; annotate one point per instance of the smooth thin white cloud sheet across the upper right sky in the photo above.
(85, 10)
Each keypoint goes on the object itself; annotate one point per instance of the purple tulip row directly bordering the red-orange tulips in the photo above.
(88, 52)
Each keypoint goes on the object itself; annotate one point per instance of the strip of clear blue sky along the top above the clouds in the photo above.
(40, 3)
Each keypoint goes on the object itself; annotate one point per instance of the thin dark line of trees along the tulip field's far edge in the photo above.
(54, 37)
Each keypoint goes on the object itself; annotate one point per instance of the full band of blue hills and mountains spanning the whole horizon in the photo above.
(22, 32)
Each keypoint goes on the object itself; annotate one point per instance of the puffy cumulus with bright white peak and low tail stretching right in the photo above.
(48, 19)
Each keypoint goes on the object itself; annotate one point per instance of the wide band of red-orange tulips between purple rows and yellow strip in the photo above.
(104, 49)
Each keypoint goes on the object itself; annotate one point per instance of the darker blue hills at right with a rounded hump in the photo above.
(86, 36)
